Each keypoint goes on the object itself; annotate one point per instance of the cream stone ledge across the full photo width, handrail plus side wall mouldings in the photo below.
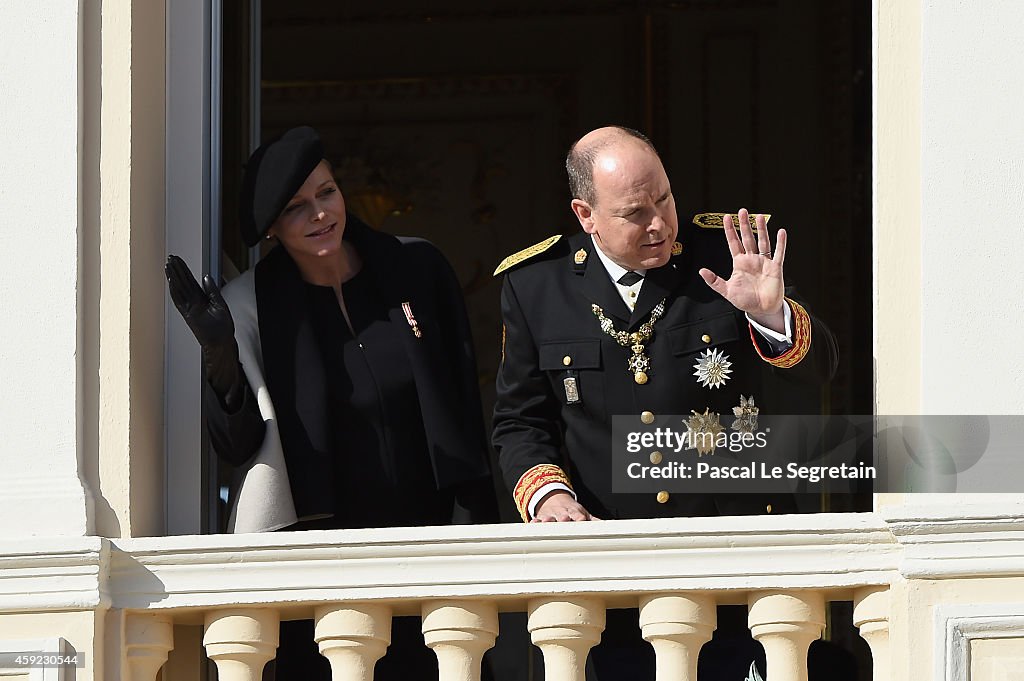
(943, 540)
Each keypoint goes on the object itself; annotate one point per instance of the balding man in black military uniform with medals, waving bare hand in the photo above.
(624, 320)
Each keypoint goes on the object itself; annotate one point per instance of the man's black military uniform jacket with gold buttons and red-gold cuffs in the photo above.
(549, 322)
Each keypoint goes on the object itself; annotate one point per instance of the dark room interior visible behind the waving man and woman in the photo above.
(451, 123)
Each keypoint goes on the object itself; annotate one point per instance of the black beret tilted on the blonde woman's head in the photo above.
(274, 175)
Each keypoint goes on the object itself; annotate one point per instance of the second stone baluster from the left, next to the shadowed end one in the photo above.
(241, 642)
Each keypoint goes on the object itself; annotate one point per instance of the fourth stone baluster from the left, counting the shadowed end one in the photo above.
(459, 633)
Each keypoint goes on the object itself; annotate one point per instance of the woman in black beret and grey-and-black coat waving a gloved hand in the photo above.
(344, 363)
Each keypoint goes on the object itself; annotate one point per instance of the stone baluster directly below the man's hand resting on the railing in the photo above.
(566, 630)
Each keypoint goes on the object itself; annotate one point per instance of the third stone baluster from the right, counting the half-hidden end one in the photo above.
(677, 626)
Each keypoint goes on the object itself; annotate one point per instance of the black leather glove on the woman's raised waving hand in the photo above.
(206, 314)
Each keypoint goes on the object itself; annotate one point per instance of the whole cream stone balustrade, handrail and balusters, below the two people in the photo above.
(565, 577)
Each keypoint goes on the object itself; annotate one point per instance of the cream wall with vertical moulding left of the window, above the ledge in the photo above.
(82, 191)
